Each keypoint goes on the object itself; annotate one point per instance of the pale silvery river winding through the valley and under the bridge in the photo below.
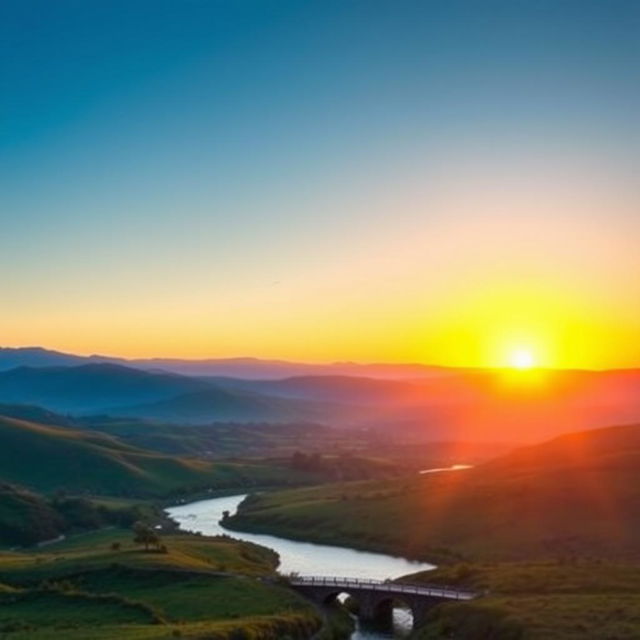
(307, 558)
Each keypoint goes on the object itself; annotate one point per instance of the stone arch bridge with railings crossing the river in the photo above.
(375, 598)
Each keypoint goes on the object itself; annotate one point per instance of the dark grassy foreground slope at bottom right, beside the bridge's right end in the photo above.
(538, 601)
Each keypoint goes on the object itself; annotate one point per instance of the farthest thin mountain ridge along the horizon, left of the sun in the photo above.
(250, 368)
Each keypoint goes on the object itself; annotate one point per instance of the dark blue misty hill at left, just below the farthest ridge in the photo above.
(123, 391)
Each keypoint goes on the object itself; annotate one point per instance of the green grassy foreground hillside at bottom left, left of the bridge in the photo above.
(104, 586)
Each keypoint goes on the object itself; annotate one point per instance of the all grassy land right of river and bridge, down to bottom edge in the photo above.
(550, 531)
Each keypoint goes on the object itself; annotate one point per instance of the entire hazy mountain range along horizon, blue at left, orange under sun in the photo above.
(455, 404)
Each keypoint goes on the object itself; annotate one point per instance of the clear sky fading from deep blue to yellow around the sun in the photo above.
(438, 182)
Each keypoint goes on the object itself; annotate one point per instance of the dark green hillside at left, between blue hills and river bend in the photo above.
(46, 458)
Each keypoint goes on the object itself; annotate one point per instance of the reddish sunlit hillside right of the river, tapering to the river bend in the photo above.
(578, 495)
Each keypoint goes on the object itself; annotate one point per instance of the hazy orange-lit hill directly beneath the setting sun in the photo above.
(468, 404)
